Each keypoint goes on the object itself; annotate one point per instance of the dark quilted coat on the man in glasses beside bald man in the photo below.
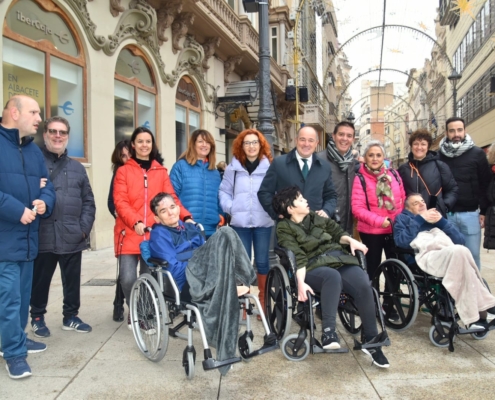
(70, 223)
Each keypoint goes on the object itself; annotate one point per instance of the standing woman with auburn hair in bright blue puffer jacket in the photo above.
(196, 180)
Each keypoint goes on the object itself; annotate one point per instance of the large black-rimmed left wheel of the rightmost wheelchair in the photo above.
(398, 293)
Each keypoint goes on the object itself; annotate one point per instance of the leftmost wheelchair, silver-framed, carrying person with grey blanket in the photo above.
(155, 303)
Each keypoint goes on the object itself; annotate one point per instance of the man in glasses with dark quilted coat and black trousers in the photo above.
(64, 235)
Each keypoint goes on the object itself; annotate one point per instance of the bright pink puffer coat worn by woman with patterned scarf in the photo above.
(370, 221)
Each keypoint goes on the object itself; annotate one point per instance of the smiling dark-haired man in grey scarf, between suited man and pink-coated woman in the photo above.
(338, 155)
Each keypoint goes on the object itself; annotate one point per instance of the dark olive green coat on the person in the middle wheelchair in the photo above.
(311, 238)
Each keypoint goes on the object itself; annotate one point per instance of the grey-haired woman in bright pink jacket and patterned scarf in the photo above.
(377, 198)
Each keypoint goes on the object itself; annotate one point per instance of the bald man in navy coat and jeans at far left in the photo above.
(25, 197)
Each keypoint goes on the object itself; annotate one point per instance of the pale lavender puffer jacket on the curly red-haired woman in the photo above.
(239, 195)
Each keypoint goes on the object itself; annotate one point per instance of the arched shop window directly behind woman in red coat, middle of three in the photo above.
(135, 94)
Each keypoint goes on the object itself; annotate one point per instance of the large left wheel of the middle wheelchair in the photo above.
(278, 301)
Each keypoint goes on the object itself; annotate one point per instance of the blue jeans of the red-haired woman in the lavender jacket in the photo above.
(259, 238)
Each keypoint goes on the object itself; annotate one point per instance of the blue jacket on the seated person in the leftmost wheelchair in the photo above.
(176, 246)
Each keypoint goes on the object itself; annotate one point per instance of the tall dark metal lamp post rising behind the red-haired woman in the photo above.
(265, 114)
